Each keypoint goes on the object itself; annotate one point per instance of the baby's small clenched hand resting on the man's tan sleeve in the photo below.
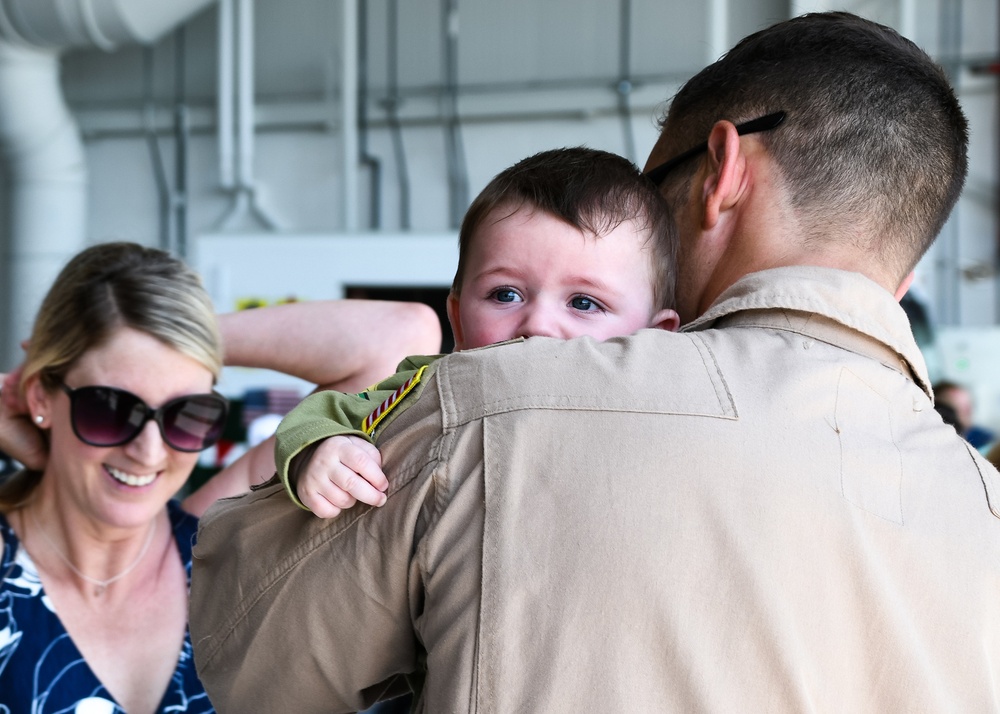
(343, 471)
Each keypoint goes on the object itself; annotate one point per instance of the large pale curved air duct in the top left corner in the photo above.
(40, 145)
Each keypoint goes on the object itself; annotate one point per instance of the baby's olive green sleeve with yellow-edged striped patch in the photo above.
(330, 413)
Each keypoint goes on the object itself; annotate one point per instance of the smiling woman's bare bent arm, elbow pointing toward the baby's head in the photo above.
(344, 344)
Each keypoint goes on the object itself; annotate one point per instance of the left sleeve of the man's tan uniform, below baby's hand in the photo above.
(290, 612)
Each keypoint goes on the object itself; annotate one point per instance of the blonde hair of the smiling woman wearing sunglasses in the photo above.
(102, 289)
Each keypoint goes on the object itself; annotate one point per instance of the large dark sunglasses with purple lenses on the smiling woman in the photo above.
(107, 416)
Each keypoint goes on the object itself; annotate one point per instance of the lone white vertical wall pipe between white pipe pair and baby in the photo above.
(349, 113)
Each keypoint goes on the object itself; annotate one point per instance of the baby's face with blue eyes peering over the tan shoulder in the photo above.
(529, 274)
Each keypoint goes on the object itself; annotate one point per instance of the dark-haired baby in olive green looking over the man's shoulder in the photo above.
(566, 243)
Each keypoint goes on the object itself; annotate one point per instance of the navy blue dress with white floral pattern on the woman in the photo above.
(42, 672)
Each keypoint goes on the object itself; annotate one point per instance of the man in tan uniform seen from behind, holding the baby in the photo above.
(763, 512)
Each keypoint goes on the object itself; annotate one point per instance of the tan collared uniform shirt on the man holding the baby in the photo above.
(761, 514)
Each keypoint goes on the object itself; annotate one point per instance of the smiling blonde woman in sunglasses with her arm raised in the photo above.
(111, 407)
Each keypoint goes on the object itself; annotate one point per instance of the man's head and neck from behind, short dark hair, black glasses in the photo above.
(865, 148)
